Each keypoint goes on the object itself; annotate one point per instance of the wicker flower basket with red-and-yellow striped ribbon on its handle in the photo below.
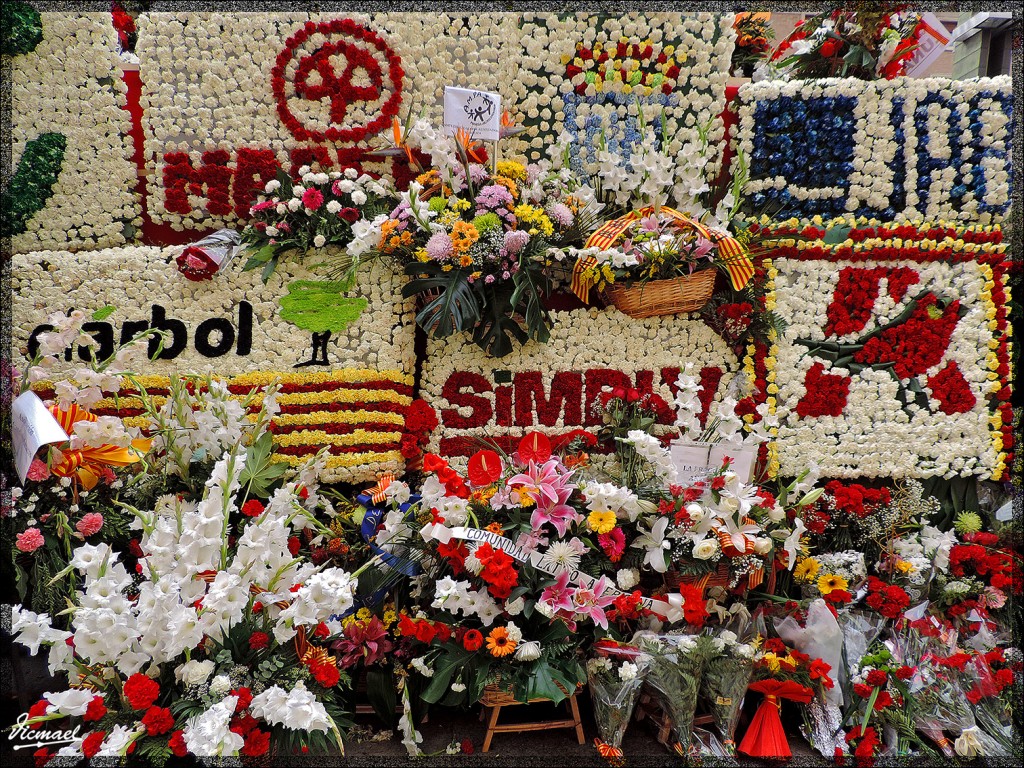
(656, 262)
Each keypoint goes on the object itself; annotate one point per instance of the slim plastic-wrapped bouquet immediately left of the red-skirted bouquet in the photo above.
(723, 686)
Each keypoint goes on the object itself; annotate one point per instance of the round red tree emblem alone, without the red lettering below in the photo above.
(355, 66)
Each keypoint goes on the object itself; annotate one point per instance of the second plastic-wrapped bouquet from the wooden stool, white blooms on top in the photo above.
(677, 666)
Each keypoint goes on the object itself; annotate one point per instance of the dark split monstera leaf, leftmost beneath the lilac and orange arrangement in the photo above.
(451, 305)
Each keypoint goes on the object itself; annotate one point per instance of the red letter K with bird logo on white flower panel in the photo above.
(908, 348)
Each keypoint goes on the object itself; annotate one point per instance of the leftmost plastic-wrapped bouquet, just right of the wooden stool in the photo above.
(616, 675)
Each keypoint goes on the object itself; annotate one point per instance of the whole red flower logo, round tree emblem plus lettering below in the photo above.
(317, 87)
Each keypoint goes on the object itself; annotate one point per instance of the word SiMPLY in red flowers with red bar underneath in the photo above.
(522, 401)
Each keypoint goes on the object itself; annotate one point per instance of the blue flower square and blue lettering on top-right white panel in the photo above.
(809, 142)
